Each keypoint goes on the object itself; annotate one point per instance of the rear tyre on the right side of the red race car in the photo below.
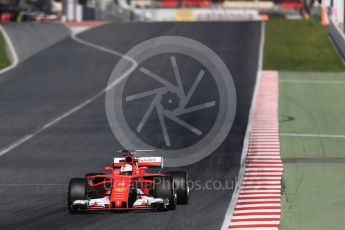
(181, 185)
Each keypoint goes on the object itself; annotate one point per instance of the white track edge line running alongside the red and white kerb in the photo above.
(236, 193)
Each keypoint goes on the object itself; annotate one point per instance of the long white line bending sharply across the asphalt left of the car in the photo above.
(75, 109)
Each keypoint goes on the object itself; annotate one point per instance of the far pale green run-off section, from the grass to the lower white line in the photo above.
(314, 107)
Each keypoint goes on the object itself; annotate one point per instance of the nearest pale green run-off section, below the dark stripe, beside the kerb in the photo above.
(314, 197)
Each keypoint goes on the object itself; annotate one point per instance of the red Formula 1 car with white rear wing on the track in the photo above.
(129, 186)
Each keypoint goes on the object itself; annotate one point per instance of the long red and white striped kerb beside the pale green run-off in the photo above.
(258, 205)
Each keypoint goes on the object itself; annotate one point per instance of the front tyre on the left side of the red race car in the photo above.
(77, 190)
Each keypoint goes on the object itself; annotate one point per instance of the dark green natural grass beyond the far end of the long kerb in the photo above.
(299, 45)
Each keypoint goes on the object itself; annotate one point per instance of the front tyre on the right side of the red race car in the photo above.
(164, 188)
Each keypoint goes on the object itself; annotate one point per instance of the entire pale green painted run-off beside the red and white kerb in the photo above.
(313, 195)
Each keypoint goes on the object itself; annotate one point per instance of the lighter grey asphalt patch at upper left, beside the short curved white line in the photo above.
(31, 38)
